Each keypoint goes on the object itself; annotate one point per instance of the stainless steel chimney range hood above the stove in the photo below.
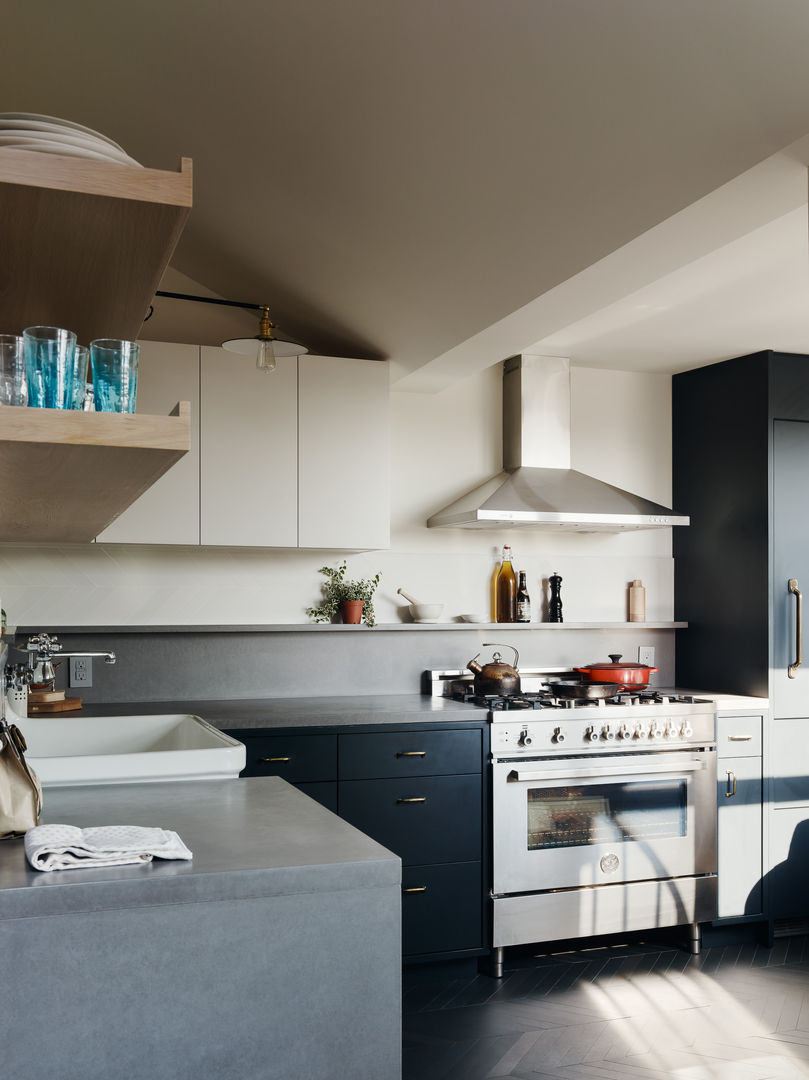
(538, 489)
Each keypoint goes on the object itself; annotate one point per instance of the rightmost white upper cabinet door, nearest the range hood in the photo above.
(344, 453)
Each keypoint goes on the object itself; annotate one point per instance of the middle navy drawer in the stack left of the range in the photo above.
(422, 820)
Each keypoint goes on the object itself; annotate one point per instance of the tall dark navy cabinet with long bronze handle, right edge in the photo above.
(741, 470)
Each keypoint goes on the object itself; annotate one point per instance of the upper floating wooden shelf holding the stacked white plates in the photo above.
(86, 242)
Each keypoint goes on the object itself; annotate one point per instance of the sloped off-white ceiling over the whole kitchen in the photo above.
(442, 184)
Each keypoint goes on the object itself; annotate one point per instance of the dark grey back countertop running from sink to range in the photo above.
(308, 712)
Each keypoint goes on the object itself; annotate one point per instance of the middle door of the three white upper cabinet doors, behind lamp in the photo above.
(249, 471)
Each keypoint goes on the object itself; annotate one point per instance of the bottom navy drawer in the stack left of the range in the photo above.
(442, 909)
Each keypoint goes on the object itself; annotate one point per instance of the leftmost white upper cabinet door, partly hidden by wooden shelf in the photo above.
(169, 512)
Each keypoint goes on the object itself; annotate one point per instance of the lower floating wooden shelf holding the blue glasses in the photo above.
(66, 476)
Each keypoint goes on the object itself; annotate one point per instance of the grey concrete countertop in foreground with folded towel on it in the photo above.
(255, 838)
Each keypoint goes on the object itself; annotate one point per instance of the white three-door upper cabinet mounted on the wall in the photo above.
(293, 458)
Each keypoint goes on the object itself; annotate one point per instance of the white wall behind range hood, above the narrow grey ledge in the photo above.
(441, 447)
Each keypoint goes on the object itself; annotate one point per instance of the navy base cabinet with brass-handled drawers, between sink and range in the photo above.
(419, 791)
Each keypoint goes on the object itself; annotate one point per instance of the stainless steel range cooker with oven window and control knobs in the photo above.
(603, 808)
